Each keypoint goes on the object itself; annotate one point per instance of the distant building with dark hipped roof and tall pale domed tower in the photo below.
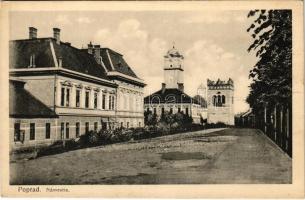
(171, 96)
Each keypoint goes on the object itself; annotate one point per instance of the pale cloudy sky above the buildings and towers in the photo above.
(214, 43)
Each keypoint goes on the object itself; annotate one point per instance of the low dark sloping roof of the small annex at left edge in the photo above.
(24, 104)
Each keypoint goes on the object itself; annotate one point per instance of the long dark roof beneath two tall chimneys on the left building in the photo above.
(72, 58)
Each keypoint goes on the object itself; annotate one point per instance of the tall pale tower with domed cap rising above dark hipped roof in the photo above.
(173, 69)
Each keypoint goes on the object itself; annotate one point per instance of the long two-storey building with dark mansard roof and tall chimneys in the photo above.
(77, 89)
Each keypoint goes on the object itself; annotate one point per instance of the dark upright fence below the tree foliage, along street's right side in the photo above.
(275, 121)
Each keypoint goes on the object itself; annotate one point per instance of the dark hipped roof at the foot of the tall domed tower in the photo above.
(169, 95)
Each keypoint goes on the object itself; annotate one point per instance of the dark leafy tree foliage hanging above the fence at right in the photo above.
(272, 74)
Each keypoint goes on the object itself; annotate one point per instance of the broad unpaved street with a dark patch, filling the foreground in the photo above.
(204, 157)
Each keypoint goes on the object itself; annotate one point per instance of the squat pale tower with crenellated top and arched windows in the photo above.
(220, 97)
